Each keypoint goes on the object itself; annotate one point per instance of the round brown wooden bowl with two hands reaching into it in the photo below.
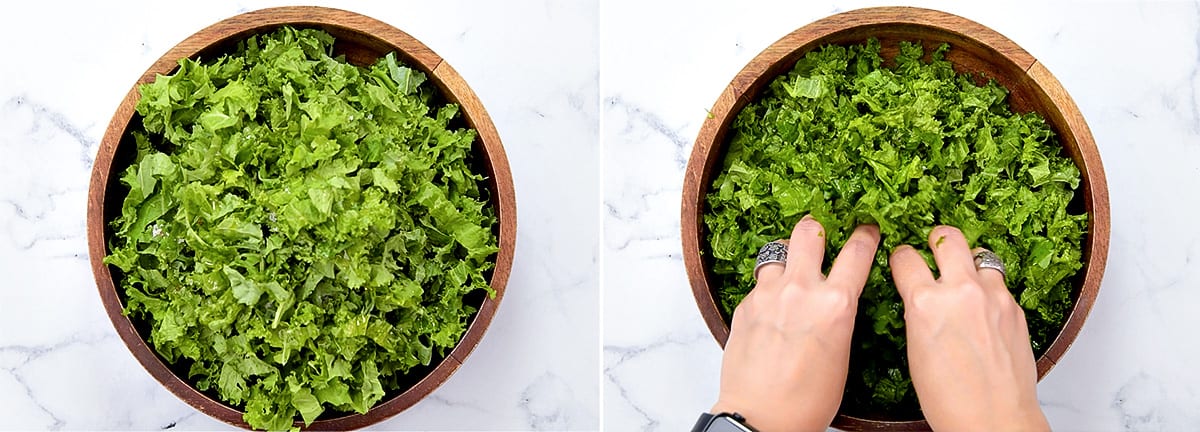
(976, 50)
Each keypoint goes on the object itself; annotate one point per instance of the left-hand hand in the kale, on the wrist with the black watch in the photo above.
(789, 349)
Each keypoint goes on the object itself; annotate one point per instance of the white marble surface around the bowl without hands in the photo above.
(67, 67)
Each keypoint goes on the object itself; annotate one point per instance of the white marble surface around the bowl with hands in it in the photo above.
(1133, 69)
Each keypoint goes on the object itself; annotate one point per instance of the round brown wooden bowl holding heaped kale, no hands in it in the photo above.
(363, 41)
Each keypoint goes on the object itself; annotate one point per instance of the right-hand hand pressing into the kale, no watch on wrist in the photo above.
(969, 346)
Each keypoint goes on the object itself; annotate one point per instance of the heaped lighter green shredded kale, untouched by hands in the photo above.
(299, 232)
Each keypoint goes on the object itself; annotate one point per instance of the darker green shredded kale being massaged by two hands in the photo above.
(909, 147)
